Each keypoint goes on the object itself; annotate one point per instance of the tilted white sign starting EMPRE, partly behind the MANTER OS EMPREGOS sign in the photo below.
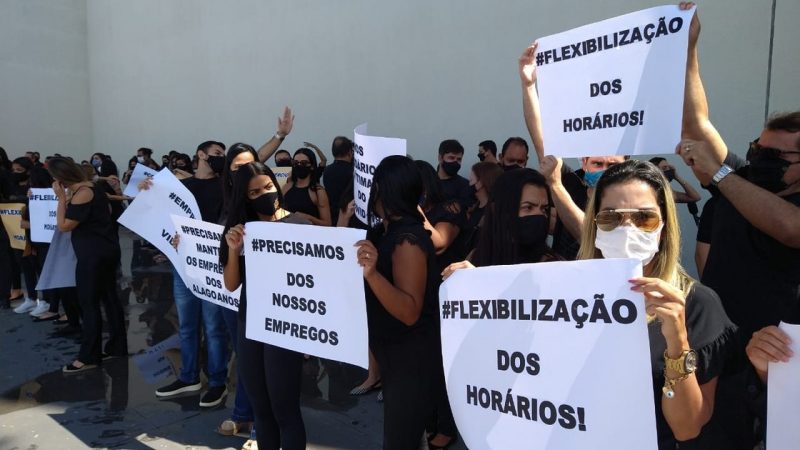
(149, 215)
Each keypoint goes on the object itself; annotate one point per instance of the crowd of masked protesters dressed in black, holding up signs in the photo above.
(711, 339)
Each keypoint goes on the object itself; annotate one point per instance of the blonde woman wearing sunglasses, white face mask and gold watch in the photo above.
(632, 215)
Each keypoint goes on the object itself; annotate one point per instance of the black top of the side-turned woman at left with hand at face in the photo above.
(96, 233)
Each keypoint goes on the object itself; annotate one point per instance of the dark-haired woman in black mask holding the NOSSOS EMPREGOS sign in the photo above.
(271, 374)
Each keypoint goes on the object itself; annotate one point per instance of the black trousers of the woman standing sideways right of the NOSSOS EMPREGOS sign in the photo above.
(408, 376)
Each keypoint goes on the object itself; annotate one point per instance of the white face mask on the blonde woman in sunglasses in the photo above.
(628, 242)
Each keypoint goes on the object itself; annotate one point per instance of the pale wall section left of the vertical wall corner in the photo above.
(44, 85)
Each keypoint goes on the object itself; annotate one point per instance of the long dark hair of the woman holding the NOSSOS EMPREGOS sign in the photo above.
(241, 211)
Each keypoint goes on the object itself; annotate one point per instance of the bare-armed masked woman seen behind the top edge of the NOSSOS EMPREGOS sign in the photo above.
(304, 195)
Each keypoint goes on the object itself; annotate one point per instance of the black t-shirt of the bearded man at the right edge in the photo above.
(757, 277)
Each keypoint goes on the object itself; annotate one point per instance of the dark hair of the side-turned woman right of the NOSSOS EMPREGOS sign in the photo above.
(398, 185)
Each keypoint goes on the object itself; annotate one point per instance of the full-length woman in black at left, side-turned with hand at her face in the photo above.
(84, 210)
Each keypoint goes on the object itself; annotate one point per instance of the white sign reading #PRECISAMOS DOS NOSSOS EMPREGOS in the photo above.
(305, 290)
